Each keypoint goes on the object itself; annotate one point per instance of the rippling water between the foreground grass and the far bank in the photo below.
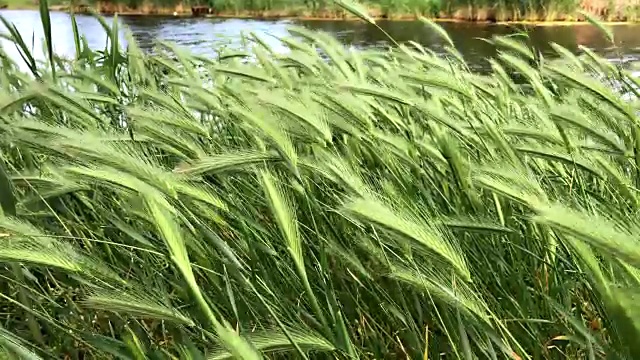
(203, 36)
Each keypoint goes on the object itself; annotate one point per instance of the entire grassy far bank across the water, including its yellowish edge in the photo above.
(534, 12)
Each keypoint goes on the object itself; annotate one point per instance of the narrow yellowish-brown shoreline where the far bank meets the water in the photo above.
(302, 15)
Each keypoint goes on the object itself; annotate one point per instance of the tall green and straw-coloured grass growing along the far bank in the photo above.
(467, 10)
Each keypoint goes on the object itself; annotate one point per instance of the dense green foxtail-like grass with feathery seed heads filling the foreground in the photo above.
(320, 203)
